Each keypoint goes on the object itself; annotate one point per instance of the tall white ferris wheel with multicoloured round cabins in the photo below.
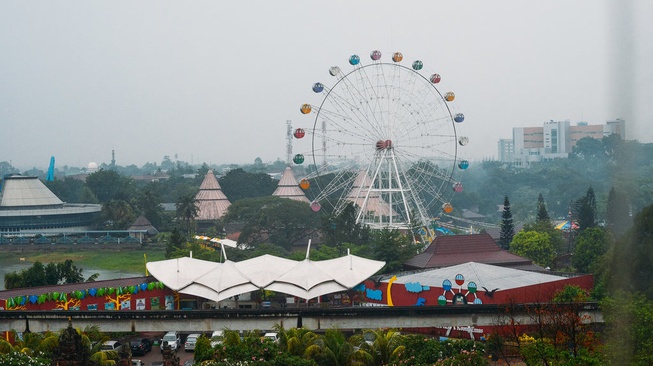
(384, 138)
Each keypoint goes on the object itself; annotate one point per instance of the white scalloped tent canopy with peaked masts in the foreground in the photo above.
(306, 279)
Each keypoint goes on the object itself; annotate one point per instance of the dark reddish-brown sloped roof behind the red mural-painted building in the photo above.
(451, 250)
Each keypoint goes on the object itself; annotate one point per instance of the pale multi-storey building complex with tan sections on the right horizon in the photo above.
(555, 139)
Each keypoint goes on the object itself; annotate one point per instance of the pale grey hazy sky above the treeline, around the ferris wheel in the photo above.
(216, 81)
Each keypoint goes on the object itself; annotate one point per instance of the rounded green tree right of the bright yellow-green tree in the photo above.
(591, 244)
